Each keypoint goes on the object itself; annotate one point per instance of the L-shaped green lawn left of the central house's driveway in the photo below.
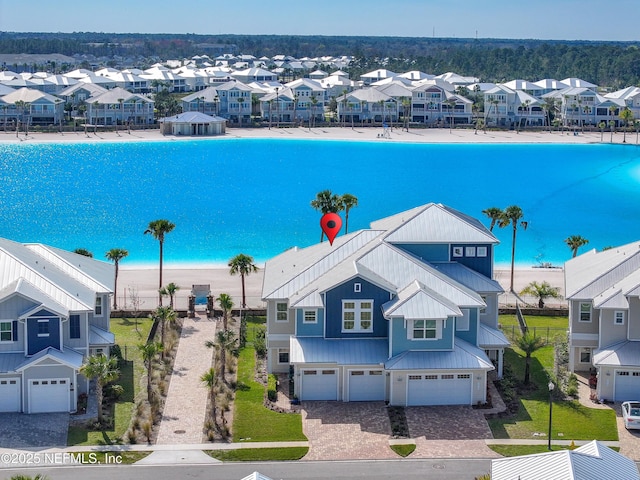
(252, 421)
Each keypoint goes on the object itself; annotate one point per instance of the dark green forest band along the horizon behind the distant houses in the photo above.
(611, 64)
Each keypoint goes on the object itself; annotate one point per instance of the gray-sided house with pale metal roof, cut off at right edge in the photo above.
(603, 291)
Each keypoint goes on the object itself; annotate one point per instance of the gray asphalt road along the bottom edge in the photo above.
(440, 469)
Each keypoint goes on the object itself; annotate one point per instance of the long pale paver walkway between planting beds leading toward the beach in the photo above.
(185, 407)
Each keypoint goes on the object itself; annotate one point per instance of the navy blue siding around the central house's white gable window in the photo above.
(333, 305)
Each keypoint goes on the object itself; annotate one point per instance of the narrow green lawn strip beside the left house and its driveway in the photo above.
(131, 373)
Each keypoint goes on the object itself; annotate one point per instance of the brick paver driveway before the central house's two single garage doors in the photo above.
(346, 431)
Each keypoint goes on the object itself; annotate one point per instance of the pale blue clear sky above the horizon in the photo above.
(540, 19)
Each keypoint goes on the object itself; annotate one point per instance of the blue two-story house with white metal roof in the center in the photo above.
(404, 312)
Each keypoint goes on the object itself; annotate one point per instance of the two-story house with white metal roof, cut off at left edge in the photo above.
(54, 311)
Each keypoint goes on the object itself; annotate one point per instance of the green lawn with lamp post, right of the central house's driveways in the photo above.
(573, 420)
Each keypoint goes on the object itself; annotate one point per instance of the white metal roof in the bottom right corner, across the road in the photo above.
(593, 461)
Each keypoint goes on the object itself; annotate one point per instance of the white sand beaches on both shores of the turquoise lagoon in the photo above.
(144, 281)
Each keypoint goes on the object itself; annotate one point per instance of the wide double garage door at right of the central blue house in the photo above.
(442, 389)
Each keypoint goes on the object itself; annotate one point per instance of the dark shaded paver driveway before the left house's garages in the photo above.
(20, 430)
